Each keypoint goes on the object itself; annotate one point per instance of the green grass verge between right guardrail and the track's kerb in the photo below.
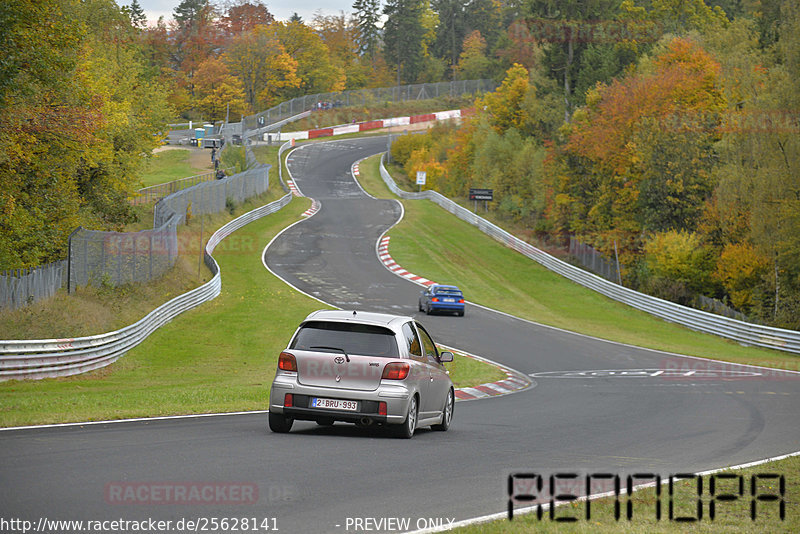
(503, 279)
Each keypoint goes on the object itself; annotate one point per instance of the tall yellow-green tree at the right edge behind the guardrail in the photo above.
(758, 168)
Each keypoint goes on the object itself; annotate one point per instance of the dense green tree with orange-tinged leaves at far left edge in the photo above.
(45, 122)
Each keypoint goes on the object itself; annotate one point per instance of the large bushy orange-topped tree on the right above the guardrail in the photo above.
(637, 162)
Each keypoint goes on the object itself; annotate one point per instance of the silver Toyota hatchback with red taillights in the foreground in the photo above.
(363, 368)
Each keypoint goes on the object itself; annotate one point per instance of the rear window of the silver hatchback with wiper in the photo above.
(353, 338)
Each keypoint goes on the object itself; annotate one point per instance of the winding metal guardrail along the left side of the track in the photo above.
(49, 358)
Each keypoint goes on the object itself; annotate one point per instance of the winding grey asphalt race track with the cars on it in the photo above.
(595, 407)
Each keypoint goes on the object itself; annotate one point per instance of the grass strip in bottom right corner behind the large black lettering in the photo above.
(730, 516)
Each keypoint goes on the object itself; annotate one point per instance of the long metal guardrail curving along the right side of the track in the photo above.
(742, 332)
